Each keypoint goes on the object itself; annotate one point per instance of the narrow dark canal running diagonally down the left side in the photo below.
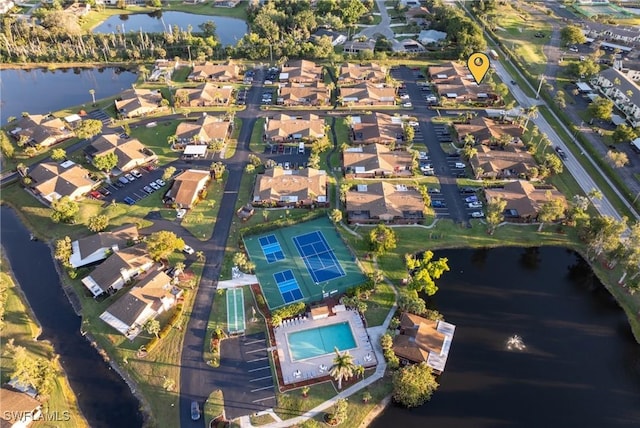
(104, 398)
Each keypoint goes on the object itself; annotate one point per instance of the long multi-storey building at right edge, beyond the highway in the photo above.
(622, 91)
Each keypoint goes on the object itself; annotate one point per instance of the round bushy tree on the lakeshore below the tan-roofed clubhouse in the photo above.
(413, 385)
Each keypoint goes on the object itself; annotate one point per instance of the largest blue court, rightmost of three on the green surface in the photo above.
(318, 257)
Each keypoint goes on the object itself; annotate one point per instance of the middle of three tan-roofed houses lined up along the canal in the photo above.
(117, 270)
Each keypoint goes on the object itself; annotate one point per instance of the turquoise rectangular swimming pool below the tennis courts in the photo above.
(318, 341)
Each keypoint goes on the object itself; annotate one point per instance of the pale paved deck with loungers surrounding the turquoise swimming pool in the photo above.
(318, 367)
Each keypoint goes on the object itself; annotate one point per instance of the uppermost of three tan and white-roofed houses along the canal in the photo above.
(97, 247)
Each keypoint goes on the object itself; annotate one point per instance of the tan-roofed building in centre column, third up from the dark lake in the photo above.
(376, 128)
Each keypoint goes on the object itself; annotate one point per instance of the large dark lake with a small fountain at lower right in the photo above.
(581, 364)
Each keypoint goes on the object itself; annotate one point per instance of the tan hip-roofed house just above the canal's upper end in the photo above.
(51, 180)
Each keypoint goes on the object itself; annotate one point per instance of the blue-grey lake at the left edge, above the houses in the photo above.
(40, 91)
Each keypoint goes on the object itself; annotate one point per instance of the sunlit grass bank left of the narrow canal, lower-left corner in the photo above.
(19, 324)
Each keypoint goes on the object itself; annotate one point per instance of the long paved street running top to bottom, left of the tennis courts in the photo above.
(197, 379)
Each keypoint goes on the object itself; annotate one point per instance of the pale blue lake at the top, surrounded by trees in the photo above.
(228, 30)
